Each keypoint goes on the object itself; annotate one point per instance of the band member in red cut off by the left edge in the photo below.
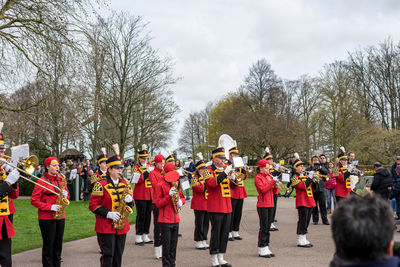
(9, 190)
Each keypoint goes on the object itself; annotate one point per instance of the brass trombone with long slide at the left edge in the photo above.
(30, 164)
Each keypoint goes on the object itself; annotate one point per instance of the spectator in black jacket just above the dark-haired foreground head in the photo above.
(382, 183)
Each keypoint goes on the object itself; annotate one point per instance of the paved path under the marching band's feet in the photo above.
(84, 252)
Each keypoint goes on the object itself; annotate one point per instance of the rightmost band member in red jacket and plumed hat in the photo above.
(343, 187)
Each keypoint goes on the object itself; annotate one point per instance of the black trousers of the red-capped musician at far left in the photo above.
(52, 235)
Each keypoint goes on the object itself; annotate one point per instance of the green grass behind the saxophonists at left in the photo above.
(79, 224)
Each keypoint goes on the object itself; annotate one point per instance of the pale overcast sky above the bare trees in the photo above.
(214, 42)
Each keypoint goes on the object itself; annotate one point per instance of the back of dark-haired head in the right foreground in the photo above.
(362, 228)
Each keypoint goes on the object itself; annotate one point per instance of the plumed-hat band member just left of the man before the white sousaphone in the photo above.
(199, 205)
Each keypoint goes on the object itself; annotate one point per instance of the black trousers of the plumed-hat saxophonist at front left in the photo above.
(112, 247)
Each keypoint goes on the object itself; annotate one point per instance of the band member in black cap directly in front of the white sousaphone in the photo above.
(219, 180)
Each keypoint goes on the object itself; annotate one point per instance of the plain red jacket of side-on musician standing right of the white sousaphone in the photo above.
(265, 187)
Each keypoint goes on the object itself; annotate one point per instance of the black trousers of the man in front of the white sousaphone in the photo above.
(220, 224)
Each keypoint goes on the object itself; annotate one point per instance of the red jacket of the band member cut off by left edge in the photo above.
(7, 207)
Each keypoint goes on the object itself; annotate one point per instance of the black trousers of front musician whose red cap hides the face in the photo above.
(169, 237)
